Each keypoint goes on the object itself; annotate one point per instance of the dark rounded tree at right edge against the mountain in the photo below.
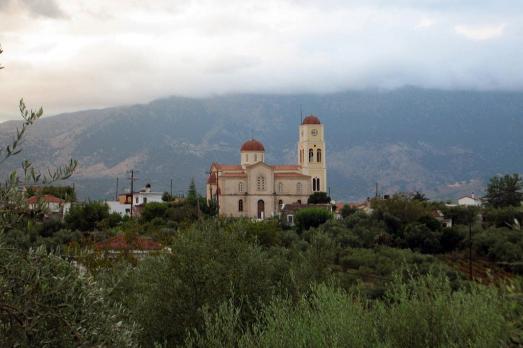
(504, 191)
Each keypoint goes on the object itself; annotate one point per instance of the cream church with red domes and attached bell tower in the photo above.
(257, 189)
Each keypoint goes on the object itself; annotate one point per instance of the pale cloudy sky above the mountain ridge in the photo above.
(71, 55)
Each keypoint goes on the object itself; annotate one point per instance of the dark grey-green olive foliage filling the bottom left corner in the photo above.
(46, 301)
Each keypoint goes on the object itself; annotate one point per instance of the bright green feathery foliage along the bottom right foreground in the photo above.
(415, 312)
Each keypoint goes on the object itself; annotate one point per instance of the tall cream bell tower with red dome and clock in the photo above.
(312, 152)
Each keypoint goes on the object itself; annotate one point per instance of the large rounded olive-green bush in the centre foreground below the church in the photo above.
(168, 293)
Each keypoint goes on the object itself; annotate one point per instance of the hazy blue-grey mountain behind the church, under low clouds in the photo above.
(444, 143)
